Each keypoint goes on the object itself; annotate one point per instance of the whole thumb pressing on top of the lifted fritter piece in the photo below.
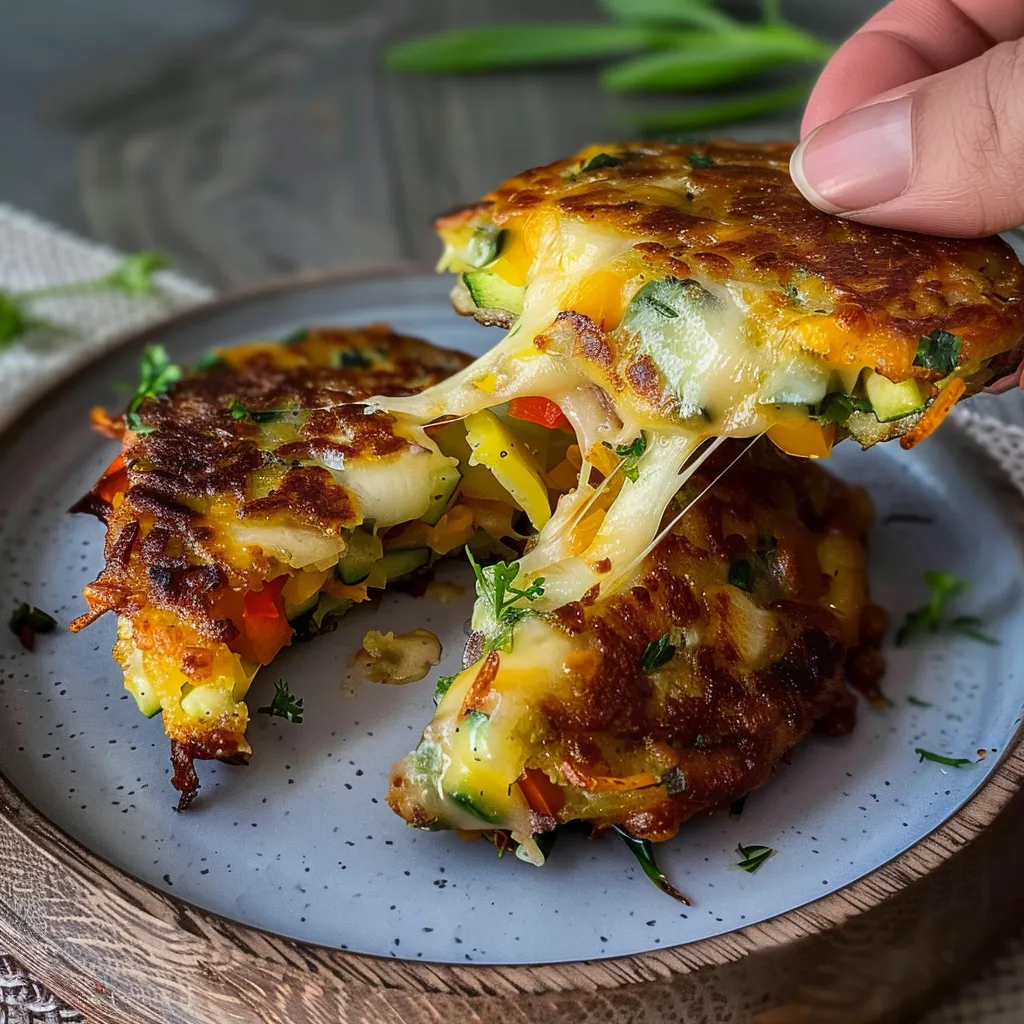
(945, 158)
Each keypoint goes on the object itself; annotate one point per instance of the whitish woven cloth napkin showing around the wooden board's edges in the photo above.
(34, 254)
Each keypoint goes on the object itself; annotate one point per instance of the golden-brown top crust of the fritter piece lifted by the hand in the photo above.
(737, 217)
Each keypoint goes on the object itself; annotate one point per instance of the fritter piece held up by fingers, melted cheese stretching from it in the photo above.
(693, 288)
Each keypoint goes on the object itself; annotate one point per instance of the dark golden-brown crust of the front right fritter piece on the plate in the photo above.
(762, 590)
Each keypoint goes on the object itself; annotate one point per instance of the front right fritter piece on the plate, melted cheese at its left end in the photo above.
(734, 638)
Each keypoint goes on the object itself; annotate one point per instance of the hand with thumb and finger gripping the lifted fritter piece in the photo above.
(918, 121)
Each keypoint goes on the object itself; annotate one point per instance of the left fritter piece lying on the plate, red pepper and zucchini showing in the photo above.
(255, 501)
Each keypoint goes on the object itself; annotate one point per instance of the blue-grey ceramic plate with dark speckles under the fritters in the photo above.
(302, 843)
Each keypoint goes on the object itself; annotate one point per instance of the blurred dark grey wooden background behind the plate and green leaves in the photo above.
(257, 138)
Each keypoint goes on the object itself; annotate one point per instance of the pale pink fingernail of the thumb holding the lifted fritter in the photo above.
(860, 160)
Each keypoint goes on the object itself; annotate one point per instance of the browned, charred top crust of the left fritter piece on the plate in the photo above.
(201, 463)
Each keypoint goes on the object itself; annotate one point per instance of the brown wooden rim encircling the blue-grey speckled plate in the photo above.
(185, 935)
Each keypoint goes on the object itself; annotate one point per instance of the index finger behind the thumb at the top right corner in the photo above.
(909, 40)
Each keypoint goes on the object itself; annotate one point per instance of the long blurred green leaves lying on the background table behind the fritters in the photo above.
(674, 46)
